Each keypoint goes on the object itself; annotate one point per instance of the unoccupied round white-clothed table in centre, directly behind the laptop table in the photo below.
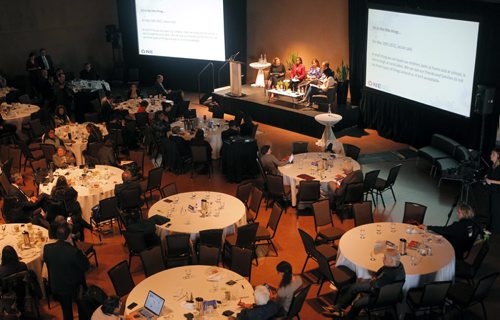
(186, 216)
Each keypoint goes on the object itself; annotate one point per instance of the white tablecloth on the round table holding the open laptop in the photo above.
(173, 286)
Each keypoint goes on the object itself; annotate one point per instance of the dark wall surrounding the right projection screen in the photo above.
(406, 121)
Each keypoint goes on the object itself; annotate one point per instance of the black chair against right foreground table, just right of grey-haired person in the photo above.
(429, 297)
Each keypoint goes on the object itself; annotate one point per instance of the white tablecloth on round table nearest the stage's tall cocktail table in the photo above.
(308, 163)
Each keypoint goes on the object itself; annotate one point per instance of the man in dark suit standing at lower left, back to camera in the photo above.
(66, 266)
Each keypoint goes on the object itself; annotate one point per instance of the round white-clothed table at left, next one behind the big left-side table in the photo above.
(78, 142)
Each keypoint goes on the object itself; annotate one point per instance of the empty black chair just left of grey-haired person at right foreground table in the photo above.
(341, 276)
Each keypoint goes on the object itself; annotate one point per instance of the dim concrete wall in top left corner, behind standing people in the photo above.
(71, 31)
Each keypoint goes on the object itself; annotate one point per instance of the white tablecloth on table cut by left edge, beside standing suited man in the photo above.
(32, 255)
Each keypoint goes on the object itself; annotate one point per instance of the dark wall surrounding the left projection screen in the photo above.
(181, 73)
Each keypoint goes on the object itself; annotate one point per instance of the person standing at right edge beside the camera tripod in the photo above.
(493, 180)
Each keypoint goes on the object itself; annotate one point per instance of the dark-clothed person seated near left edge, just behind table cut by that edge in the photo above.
(27, 209)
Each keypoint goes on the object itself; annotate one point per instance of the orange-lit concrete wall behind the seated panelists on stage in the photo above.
(311, 28)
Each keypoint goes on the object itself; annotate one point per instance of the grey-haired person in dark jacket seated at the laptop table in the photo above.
(264, 308)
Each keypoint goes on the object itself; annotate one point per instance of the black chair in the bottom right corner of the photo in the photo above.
(464, 295)
